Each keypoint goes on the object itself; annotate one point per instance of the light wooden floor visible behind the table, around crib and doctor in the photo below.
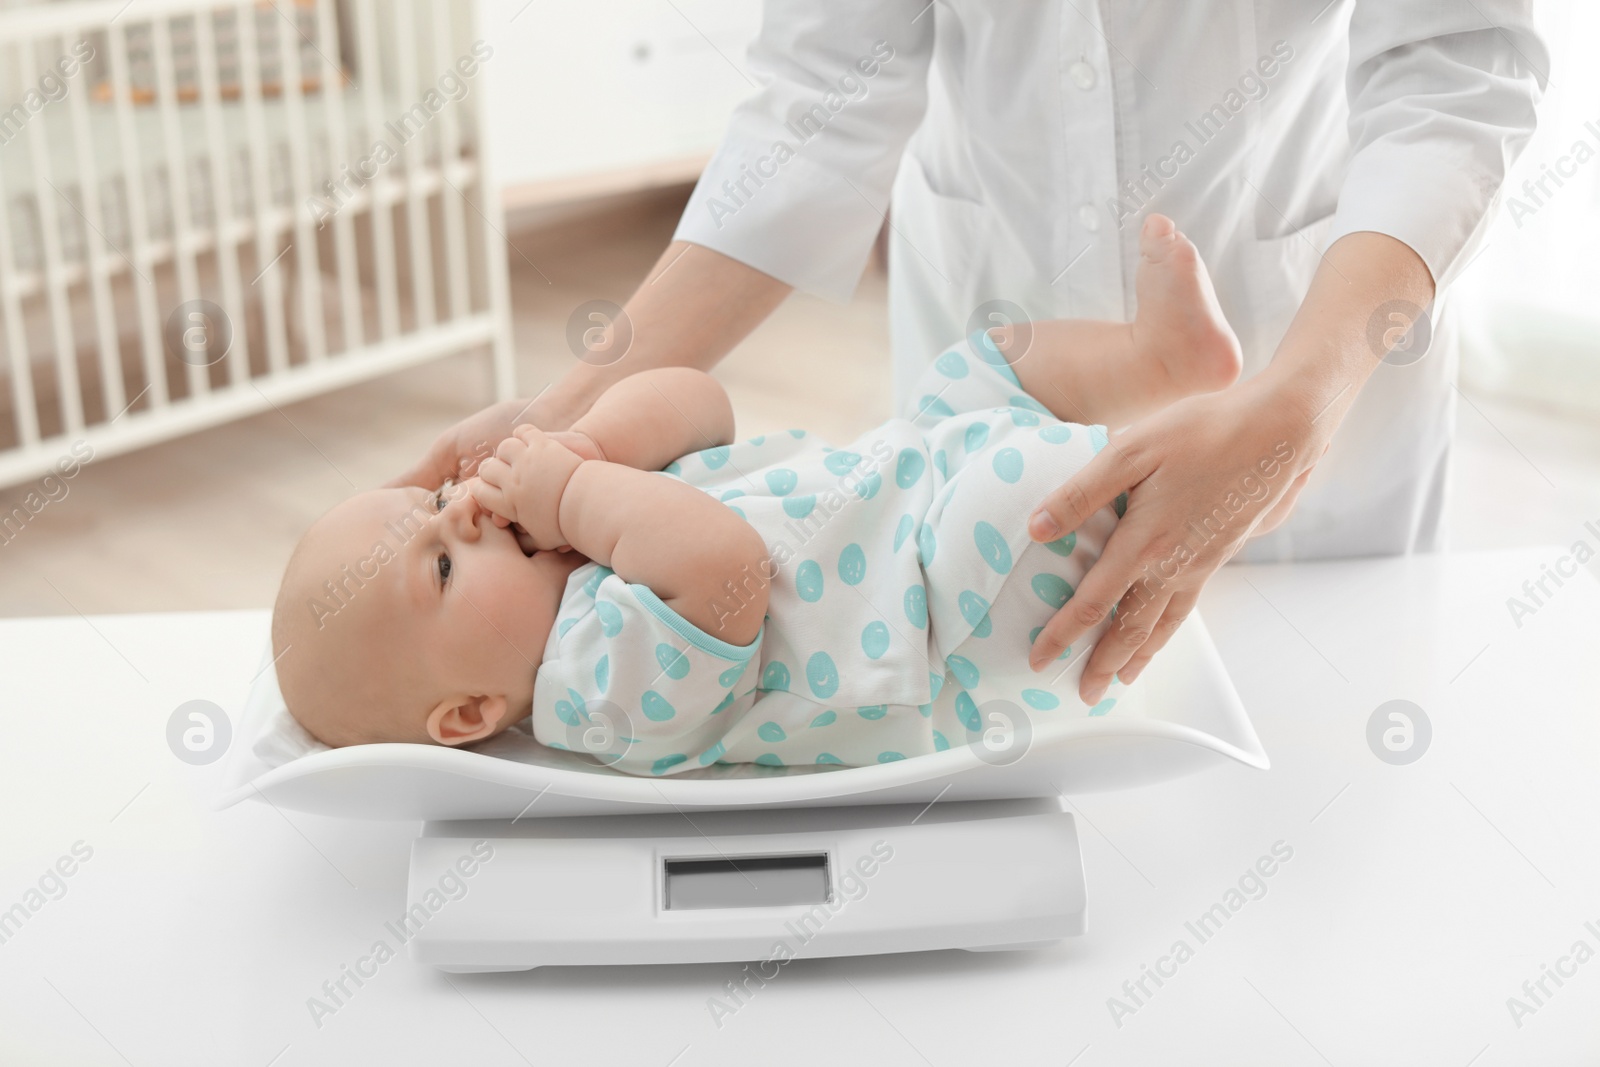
(209, 521)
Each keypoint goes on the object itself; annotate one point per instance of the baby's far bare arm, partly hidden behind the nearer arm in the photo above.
(652, 418)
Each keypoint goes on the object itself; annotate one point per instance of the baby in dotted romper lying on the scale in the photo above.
(665, 599)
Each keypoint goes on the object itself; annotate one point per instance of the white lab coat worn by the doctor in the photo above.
(1023, 143)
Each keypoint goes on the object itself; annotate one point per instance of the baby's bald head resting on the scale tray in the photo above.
(407, 615)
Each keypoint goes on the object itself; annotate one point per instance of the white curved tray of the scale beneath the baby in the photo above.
(1183, 716)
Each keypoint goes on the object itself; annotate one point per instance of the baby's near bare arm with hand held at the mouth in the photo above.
(650, 530)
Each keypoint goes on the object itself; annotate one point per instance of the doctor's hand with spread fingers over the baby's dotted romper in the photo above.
(1202, 478)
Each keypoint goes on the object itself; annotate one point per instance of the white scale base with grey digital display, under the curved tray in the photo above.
(758, 885)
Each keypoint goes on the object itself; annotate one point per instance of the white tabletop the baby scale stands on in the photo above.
(1418, 898)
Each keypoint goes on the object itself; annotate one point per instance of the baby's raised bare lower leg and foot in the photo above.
(1114, 374)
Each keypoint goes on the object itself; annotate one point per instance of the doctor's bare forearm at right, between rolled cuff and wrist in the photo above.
(1334, 345)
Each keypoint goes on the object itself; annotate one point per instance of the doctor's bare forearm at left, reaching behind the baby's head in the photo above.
(692, 310)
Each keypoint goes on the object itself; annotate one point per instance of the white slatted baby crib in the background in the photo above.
(194, 223)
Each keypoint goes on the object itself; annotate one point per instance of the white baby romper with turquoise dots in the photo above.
(905, 594)
